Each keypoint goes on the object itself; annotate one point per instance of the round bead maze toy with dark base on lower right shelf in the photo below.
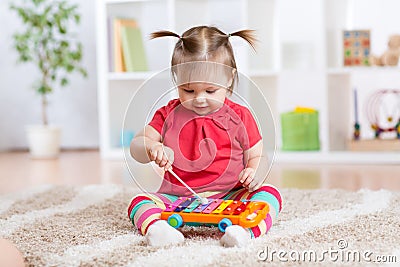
(383, 112)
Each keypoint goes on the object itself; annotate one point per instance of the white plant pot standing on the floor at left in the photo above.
(44, 141)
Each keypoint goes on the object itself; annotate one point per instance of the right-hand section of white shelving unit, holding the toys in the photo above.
(379, 17)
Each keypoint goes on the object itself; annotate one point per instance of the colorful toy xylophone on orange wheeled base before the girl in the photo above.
(217, 212)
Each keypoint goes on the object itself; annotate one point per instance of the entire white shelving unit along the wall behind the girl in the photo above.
(297, 63)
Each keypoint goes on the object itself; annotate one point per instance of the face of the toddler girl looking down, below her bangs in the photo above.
(202, 98)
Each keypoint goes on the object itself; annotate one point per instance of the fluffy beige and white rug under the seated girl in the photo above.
(88, 226)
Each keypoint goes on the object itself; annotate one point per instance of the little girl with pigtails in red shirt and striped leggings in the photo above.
(210, 142)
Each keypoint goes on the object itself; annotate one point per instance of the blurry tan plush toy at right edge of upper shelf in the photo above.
(391, 56)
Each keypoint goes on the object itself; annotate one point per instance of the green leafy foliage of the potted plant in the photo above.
(47, 41)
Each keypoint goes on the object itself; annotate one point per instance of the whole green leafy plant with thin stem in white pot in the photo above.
(48, 43)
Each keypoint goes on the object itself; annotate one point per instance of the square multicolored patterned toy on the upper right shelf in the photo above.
(356, 47)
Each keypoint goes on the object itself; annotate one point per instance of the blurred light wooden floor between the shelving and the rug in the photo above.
(18, 171)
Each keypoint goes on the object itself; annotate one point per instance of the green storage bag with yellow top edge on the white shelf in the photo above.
(300, 130)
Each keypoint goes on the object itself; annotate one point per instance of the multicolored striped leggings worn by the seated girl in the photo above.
(145, 209)
